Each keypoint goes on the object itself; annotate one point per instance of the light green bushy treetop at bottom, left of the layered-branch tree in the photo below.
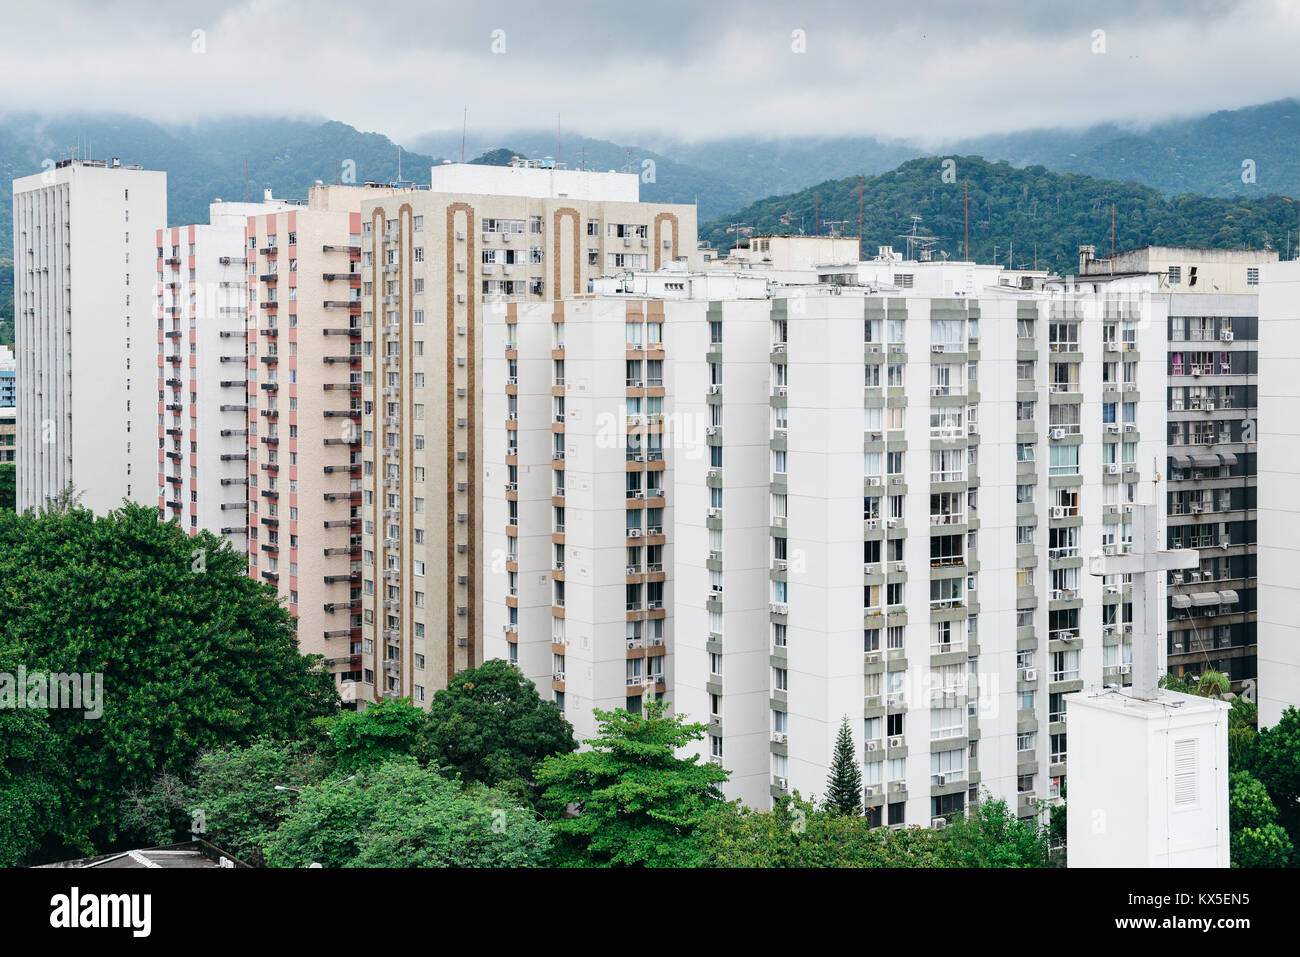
(401, 815)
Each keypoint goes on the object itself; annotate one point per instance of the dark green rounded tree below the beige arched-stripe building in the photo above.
(493, 728)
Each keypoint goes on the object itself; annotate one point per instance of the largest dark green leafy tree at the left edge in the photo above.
(190, 652)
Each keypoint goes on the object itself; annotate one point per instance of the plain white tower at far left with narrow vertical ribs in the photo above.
(84, 324)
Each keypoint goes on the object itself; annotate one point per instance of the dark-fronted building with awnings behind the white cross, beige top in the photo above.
(1212, 425)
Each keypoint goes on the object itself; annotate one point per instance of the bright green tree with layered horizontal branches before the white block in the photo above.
(630, 799)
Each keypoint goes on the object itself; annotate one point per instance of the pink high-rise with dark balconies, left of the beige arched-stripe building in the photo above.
(302, 408)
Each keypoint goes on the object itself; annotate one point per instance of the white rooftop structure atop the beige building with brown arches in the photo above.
(527, 179)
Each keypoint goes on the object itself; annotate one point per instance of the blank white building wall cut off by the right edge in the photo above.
(1280, 482)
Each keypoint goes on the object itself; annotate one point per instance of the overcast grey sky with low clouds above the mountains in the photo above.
(694, 70)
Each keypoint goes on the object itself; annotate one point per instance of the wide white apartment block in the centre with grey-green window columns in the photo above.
(956, 412)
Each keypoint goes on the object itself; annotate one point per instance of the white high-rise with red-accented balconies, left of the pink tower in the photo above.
(202, 309)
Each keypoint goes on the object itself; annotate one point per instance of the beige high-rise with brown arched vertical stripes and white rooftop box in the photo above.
(436, 265)
